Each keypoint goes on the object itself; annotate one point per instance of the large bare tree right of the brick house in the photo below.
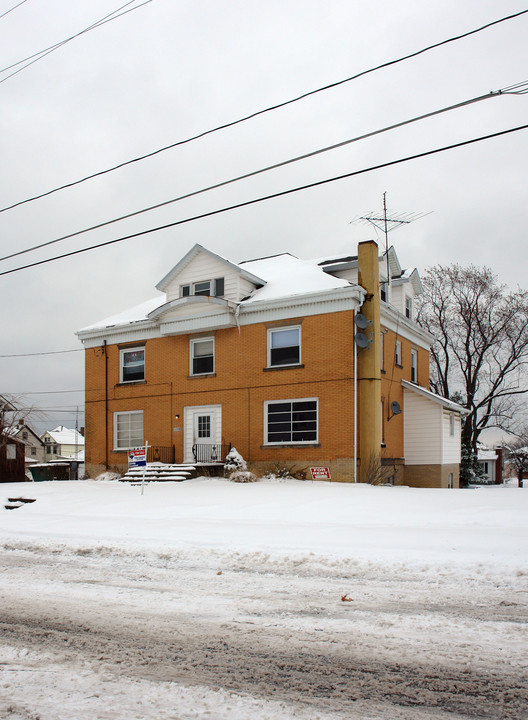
(480, 354)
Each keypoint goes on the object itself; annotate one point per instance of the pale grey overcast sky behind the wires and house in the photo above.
(174, 68)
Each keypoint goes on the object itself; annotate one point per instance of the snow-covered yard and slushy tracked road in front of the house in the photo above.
(210, 599)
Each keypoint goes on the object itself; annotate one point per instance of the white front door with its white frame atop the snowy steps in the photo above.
(203, 433)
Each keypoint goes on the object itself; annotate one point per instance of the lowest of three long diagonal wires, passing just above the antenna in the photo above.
(268, 197)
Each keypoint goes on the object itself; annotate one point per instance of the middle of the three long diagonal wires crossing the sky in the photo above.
(516, 89)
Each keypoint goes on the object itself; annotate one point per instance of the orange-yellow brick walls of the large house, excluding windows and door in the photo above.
(241, 385)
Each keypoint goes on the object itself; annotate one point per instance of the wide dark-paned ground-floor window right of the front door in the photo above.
(290, 421)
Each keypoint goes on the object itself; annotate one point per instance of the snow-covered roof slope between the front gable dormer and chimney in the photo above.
(286, 276)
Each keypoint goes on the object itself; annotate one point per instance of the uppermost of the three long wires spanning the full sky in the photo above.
(268, 109)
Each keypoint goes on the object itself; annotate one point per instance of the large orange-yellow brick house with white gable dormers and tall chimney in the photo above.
(262, 355)
